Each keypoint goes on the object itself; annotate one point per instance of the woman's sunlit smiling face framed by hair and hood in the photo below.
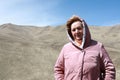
(77, 30)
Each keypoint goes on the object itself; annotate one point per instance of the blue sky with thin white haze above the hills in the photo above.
(57, 12)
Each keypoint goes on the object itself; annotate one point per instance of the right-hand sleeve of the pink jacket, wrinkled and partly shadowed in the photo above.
(107, 67)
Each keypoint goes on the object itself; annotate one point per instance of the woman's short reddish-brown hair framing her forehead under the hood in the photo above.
(73, 19)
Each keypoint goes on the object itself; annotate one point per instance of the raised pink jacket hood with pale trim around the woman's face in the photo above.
(86, 39)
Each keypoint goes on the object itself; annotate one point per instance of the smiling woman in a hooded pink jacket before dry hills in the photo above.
(83, 58)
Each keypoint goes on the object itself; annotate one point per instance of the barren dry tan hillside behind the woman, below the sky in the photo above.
(29, 52)
